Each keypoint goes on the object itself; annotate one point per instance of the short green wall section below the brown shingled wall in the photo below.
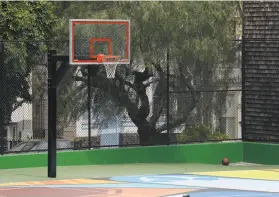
(261, 153)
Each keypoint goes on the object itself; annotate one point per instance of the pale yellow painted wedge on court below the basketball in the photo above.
(270, 174)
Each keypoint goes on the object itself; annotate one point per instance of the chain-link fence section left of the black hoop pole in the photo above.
(23, 100)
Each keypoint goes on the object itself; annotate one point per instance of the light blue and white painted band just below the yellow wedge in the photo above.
(204, 181)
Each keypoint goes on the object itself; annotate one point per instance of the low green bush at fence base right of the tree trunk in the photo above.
(200, 133)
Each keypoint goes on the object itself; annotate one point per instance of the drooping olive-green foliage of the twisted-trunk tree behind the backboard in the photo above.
(198, 35)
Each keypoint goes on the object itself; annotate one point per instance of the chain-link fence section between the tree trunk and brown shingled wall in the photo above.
(205, 98)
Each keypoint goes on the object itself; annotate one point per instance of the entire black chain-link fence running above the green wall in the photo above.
(203, 102)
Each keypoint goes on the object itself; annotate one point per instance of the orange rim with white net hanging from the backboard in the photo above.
(111, 67)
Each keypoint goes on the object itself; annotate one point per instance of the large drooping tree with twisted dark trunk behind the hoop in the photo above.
(197, 35)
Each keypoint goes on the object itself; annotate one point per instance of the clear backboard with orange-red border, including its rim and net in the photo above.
(108, 38)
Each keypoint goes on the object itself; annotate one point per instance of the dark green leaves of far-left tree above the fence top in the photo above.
(27, 20)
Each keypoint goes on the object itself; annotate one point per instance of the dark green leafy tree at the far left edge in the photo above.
(23, 26)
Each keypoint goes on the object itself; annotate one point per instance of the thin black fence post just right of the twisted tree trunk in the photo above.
(168, 97)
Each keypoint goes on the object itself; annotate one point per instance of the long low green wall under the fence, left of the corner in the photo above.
(210, 153)
